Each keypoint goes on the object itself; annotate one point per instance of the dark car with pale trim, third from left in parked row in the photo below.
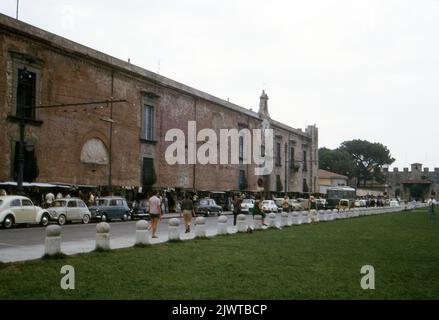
(110, 208)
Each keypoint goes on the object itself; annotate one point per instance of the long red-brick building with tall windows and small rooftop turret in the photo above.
(123, 143)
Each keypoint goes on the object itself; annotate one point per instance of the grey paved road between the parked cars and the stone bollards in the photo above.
(23, 243)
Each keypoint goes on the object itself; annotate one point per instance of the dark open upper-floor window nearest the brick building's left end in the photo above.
(26, 93)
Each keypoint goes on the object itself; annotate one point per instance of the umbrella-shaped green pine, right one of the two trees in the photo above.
(368, 159)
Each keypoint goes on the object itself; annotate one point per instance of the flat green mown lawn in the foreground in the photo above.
(320, 261)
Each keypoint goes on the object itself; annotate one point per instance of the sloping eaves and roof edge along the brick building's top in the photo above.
(70, 46)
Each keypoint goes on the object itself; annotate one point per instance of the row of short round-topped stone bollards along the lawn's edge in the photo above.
(143, 235)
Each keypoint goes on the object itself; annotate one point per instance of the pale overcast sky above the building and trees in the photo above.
(358, 69)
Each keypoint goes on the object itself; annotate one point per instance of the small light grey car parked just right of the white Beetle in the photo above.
(69, 209)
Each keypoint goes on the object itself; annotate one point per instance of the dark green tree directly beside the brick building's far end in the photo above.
(338, 161)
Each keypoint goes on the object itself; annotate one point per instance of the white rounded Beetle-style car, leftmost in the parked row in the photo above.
(18, 209)
